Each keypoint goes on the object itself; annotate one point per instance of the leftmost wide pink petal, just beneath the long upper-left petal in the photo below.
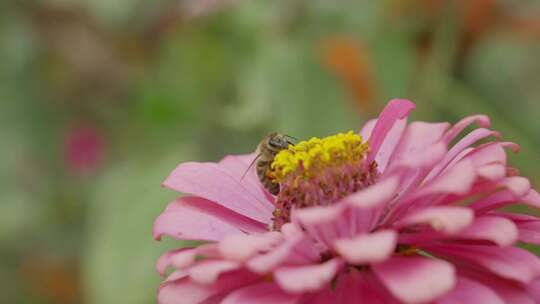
(185, 220)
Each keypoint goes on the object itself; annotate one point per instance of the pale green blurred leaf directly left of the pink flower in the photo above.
(119, 251)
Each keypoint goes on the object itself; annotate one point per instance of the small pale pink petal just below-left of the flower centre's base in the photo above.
(241, 247)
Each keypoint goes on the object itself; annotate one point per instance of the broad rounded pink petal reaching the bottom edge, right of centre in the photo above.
(416, 279)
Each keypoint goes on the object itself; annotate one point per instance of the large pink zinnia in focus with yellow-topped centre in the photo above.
(402, 213)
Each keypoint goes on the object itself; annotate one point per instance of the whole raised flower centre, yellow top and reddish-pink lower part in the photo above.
(319, 172)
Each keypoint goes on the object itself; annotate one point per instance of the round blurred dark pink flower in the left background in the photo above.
(84, 149)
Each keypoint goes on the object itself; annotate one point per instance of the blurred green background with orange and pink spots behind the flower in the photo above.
(100, 99)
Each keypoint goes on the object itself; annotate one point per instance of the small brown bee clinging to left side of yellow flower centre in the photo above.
(267, 149)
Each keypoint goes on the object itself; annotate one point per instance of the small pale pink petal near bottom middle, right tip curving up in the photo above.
(300, 279)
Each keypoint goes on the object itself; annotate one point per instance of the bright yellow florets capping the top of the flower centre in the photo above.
(307, 158)
